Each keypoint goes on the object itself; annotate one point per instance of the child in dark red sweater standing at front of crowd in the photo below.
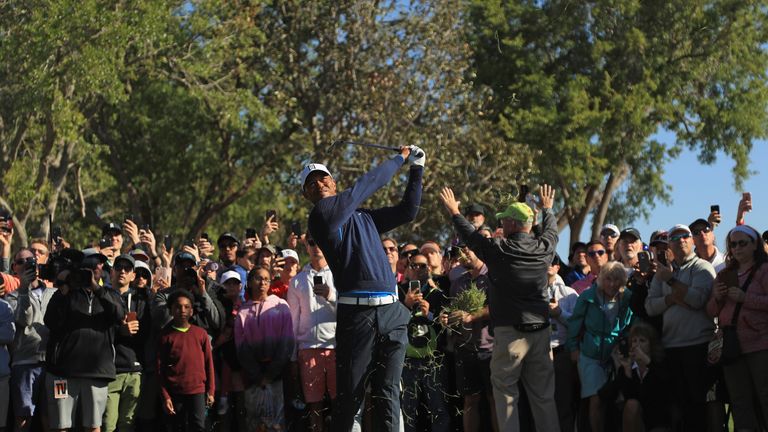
(185, 367)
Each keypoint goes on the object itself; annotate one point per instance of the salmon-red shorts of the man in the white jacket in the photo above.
(317, 367)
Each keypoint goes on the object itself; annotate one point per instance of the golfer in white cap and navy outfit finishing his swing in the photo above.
(371, 323)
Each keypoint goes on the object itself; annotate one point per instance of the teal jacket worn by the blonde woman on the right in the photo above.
(589, 330)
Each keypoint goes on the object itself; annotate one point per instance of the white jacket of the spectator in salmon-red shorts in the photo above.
(314, 317)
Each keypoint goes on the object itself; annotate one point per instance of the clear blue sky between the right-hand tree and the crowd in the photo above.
(694, 188)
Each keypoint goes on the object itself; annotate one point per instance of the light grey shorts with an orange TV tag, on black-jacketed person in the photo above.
(89, 394)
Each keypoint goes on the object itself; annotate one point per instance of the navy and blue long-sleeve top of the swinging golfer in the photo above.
(350, 237)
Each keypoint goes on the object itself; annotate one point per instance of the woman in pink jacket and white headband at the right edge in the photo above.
(747, 377)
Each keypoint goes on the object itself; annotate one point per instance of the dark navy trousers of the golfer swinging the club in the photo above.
(369, 340)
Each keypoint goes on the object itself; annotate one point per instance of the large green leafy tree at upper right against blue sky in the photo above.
(588, 84)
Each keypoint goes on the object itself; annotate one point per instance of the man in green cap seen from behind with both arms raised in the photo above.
(519, 306)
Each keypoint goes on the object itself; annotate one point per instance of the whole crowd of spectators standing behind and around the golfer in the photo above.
(130, 333)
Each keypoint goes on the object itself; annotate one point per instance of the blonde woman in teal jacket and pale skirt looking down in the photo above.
(601, 315)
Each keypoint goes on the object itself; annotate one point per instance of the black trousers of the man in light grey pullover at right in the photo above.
(692, 379)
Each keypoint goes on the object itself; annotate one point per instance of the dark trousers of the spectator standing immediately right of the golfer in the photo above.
(424, 394)
